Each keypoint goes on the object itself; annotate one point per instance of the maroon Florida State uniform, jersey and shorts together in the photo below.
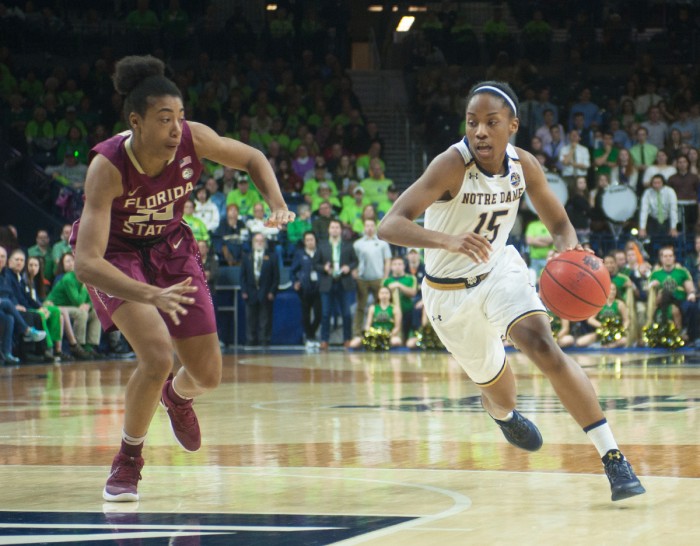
(148, 241)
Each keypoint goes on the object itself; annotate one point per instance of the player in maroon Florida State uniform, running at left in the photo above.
(141, 262)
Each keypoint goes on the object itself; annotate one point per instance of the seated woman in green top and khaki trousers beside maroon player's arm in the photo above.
(72, 296)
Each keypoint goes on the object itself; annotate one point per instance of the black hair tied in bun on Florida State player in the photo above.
(140, 77)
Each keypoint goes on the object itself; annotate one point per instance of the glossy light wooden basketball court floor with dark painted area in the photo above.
(351, 448)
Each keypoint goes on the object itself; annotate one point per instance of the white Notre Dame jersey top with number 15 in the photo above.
(485, 204)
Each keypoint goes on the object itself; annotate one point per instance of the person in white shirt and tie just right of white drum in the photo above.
(658, 212)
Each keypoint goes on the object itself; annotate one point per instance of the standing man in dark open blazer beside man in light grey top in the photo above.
(334, 262)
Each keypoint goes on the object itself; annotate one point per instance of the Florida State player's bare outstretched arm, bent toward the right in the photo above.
(238, 155)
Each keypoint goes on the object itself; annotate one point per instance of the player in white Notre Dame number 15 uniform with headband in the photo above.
(476, 290)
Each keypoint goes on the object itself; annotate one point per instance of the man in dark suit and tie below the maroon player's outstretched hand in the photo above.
(260, 277)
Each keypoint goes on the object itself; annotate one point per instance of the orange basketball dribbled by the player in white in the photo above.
(574, 285)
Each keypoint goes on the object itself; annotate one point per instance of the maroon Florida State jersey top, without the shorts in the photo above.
(150, 207)
